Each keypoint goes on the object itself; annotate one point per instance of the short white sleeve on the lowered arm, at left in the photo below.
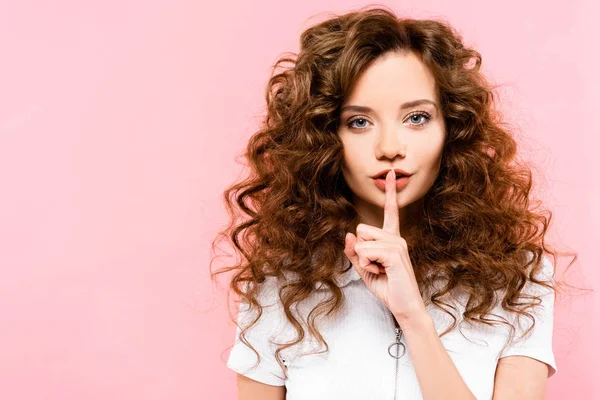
(242, 358)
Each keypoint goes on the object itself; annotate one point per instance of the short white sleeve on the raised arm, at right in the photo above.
(538, 342)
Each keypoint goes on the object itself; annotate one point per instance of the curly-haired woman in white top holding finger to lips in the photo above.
(391, 249)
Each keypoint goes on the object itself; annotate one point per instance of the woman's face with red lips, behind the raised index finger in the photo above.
(379, 132)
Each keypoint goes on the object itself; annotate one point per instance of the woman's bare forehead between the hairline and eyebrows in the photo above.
(393, 78)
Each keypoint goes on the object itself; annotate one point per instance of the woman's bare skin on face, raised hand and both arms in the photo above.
(391, 139)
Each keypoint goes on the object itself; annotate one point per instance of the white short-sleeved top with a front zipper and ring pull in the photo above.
(358, 365)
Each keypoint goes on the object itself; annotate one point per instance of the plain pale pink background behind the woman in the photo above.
(120, 122)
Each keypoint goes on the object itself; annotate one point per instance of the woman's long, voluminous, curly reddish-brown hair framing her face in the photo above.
(478, 219)
